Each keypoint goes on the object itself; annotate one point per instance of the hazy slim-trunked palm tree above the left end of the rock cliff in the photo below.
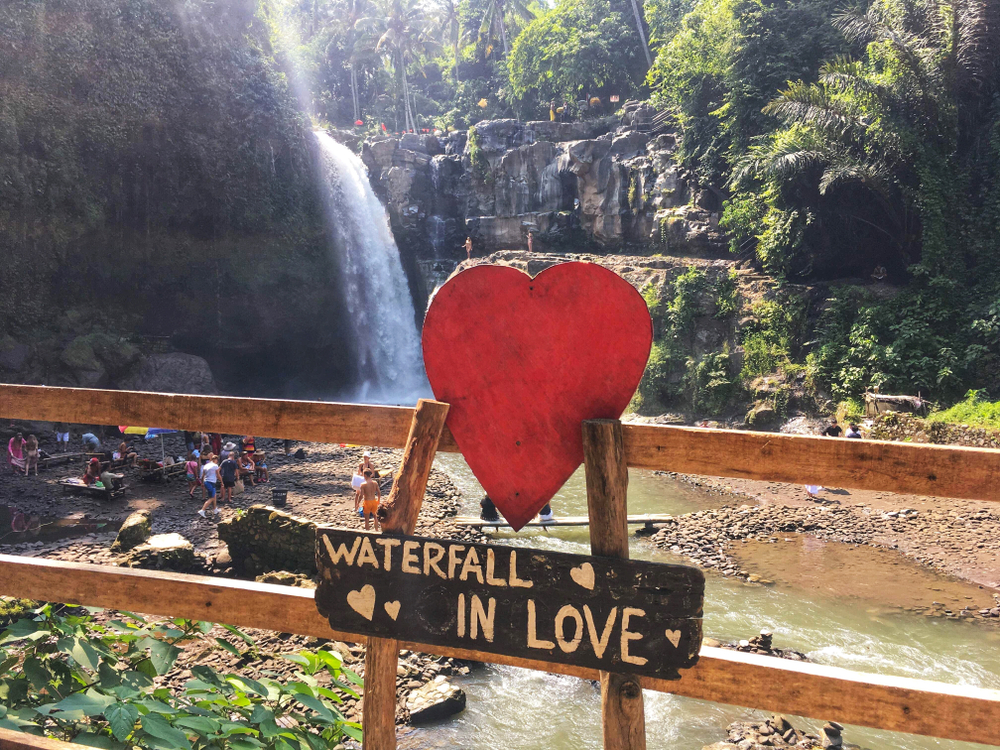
(401, 30)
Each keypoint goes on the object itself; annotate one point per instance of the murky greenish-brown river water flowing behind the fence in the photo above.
(814, 608)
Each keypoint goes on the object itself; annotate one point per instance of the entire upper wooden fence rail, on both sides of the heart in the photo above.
(969, 473)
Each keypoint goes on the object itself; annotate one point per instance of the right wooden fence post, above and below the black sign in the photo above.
(622, 712)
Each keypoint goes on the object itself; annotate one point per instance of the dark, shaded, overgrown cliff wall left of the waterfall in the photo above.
(155, 175)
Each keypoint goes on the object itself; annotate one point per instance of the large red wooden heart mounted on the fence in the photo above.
(523, 362)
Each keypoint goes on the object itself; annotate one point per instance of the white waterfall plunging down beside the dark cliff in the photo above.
(387, 353)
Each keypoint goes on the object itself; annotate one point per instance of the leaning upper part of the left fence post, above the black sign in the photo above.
(398, 514)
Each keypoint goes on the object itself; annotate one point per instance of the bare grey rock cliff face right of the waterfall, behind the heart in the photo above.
(585, 185)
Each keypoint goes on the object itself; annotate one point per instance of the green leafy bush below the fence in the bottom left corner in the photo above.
(64, 675)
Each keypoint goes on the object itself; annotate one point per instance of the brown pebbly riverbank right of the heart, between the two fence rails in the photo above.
(959, 539)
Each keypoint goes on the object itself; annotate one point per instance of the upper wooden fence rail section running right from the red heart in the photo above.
(971, 473)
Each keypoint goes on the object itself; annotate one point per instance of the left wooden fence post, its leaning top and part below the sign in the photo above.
(398, 515)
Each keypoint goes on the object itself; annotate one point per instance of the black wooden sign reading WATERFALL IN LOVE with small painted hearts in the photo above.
(615, 615)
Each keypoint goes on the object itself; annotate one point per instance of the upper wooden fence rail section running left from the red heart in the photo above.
(314, 421)
